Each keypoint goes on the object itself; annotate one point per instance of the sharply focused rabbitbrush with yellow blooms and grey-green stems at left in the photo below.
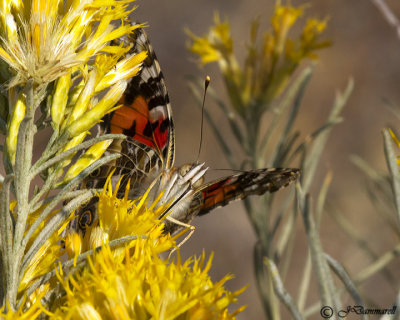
(60, 73)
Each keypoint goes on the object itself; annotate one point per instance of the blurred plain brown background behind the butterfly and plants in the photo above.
(365, 48)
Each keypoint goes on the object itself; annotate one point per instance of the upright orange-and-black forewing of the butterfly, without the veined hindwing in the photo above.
(145, 116)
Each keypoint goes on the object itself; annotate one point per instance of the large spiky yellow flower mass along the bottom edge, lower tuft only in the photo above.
(144, 286)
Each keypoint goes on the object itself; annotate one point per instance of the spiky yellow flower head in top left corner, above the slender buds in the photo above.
(45, 39)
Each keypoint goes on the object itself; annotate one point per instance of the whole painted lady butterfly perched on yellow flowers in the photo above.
(148, 154)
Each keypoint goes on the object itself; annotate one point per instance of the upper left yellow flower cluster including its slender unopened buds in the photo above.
(46, 41)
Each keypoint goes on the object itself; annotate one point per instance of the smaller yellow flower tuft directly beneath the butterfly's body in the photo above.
(117, 218)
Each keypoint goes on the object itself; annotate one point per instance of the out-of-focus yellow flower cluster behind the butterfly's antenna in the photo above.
(268, 66)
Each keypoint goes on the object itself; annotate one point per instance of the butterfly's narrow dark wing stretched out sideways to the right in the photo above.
(235, 187)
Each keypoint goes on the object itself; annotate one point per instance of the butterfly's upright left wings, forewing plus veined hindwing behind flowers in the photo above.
(145, 117)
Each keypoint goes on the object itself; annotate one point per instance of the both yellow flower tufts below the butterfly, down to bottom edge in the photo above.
(133, 282)
